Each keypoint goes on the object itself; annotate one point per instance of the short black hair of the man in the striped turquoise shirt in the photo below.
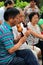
(10, 12)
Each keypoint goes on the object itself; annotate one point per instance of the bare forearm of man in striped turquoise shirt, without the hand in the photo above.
(17, 45)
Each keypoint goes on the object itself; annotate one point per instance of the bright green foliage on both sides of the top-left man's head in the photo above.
(19, 3)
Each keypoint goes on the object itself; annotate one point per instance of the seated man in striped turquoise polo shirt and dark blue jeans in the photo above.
(7, 46)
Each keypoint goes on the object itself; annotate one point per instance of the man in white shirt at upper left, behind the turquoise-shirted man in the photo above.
(7, 4)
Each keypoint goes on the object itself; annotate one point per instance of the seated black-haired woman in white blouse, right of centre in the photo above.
(34, 17)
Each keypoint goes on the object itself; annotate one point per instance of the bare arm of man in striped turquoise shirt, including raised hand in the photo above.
(21, 41)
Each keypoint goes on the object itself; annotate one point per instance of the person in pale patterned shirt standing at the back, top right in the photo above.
(32, 7)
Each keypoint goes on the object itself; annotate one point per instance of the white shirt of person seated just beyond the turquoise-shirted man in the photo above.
(15, 32)
